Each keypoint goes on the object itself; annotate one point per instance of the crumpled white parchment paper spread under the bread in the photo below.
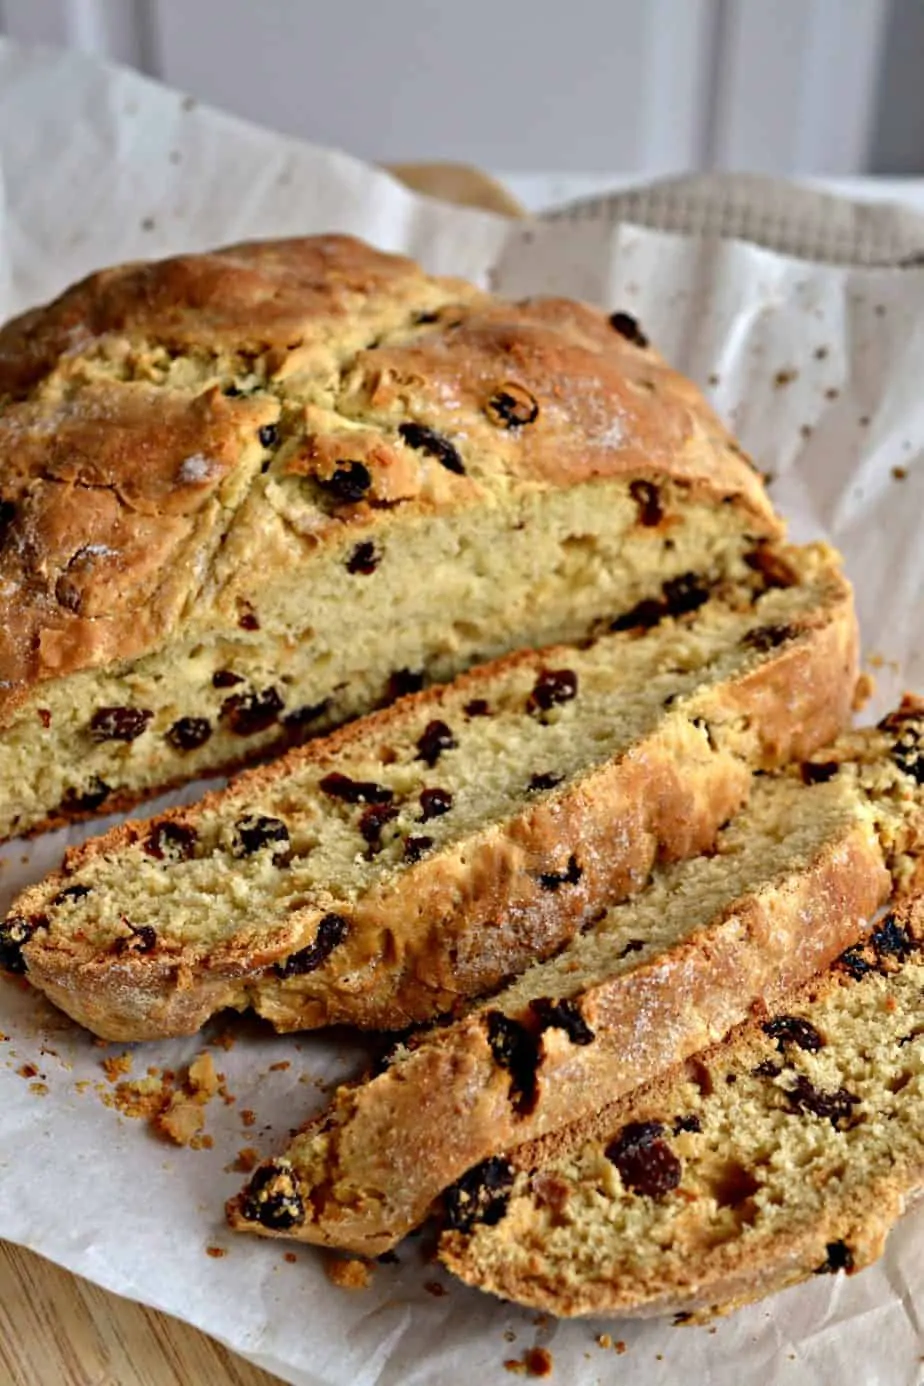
(819, 368)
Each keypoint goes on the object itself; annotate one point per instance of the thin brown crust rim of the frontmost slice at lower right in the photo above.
(734, 1273)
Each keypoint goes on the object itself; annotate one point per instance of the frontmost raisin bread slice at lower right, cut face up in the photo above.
(786, 1152)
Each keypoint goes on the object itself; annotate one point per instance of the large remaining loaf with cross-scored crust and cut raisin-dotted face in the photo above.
(215, 468)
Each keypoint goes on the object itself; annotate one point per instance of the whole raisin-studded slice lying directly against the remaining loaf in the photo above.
(425, 854)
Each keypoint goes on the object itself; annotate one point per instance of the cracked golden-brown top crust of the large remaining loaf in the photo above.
(125, 468)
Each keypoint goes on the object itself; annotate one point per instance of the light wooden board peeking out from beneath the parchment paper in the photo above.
(57, 1330)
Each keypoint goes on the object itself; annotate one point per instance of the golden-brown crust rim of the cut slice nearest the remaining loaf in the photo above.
(670, 795)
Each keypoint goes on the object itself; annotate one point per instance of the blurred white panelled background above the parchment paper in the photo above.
(649, 87)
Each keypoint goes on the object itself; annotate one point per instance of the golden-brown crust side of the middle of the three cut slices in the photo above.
(397, 1141)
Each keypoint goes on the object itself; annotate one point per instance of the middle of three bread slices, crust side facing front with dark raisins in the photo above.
(645, 986)
